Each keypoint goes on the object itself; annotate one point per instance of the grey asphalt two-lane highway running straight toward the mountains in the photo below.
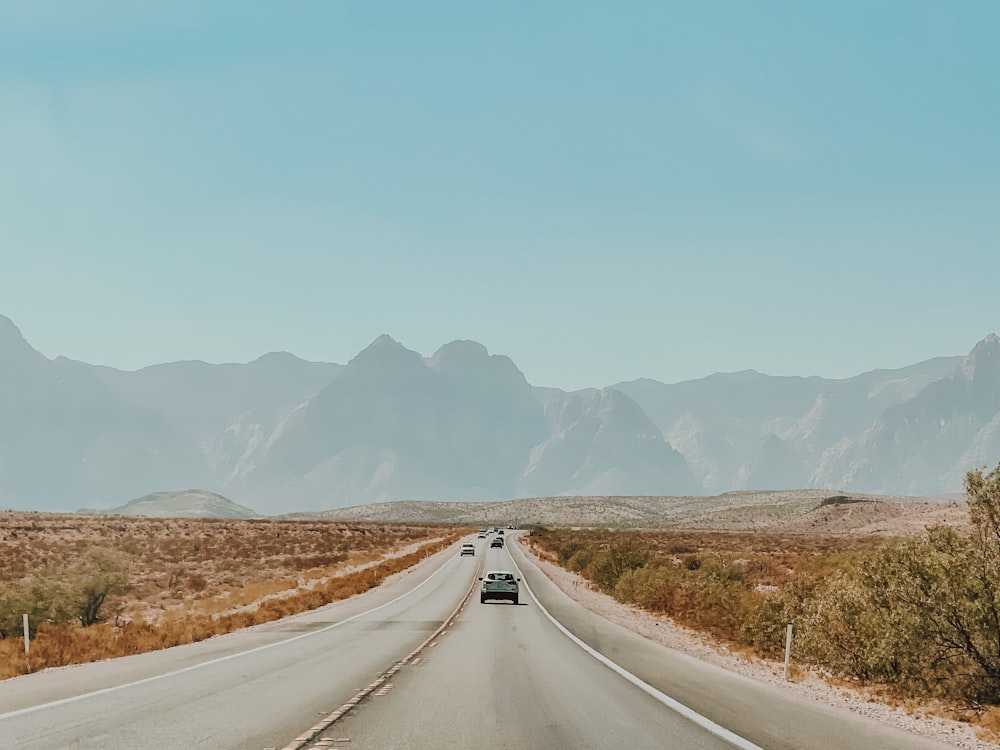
(459, 673)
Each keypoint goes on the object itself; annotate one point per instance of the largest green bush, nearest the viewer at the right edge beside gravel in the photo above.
(922, 614)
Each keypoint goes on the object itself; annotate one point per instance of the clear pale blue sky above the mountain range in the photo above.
(601, 191)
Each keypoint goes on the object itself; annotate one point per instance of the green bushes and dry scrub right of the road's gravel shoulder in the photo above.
(918, 617)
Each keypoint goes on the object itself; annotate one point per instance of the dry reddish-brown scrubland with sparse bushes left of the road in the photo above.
(96, 587)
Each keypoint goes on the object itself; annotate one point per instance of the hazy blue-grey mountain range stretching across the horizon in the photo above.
(281, 434)
